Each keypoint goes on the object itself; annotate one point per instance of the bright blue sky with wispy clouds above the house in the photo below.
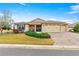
(68, 12)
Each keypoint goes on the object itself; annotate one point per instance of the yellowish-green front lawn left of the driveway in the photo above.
(24, 39)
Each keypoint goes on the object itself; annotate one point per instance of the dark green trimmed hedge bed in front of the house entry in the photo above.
(37, 35)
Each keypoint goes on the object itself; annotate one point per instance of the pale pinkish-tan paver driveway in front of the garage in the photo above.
(65, 38)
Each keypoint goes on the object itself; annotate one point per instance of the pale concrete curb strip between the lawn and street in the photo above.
(52, 47)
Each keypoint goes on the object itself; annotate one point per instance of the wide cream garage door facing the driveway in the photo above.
(54, 28)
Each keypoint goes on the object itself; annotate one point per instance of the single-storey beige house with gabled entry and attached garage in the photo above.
(39, 25)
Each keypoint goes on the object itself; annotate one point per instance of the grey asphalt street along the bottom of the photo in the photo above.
(37, 52)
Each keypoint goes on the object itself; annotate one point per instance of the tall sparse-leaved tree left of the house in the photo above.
(6, 20)
